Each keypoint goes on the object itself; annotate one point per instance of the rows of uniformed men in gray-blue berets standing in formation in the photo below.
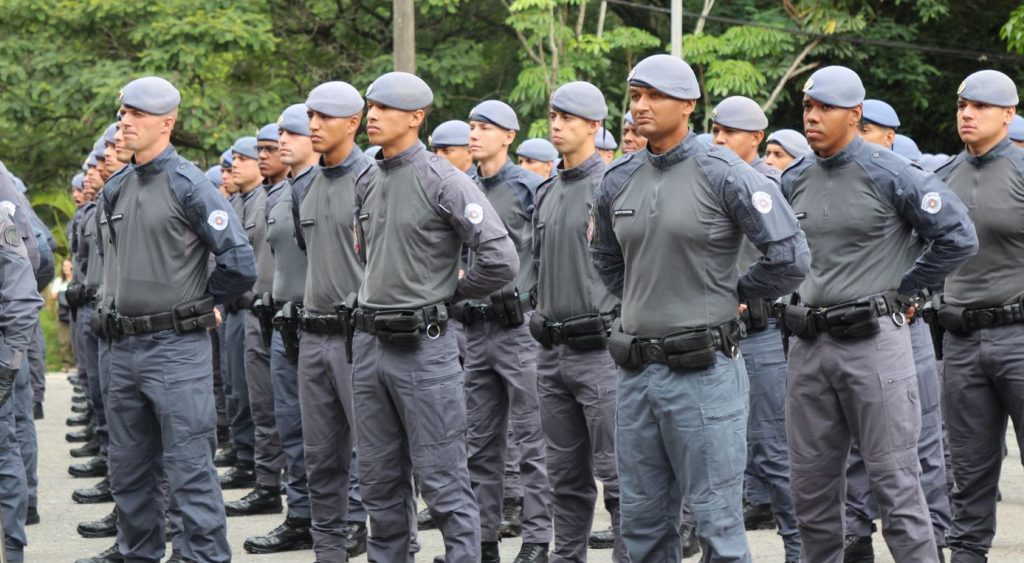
(702, 334)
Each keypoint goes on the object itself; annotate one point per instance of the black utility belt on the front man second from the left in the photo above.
(403, 327)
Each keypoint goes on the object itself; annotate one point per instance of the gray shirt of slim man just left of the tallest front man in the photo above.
(568, 285)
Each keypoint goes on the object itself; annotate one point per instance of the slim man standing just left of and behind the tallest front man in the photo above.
(576, 376)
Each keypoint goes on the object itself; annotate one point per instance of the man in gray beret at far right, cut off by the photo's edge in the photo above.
(982, 311)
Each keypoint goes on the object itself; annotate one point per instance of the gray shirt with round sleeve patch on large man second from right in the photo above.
(861, 209)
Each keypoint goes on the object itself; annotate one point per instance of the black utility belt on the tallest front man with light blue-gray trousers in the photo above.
(695, 350)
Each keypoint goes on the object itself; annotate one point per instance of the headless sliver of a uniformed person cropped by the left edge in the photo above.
(19, 315)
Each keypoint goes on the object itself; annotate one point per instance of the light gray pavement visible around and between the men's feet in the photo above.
(55, 541)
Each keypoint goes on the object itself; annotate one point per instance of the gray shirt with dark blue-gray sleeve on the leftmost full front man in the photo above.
(165, 219)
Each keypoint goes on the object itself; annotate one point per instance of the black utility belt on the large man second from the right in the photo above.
(847, 322)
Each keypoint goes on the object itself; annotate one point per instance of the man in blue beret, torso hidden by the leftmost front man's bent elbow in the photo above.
(247, 180)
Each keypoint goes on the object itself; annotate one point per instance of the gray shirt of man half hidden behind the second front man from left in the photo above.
(326, 221)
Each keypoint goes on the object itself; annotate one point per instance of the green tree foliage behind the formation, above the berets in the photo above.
(239, 64)
